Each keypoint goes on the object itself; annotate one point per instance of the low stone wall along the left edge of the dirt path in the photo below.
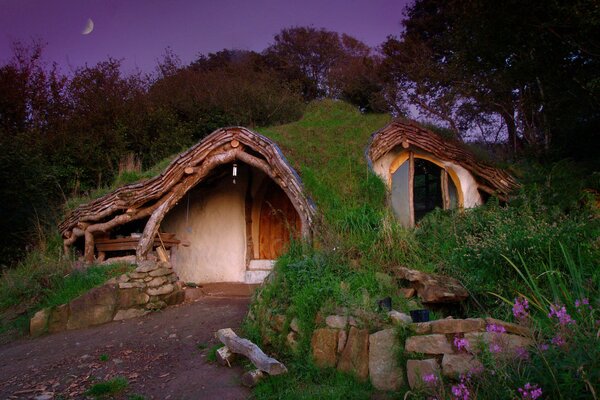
(151, 286)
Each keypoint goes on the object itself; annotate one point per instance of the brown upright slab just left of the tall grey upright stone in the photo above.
(355, 357)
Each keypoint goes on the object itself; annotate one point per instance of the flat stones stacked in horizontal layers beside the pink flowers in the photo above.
(436, 340)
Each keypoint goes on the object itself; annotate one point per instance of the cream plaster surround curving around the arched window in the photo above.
(471, 197)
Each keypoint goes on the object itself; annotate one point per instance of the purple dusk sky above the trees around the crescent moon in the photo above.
(138, 31)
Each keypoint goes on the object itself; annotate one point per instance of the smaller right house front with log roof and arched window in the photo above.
(424, 171)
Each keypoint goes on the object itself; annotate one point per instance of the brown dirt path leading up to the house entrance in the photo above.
(162, 355)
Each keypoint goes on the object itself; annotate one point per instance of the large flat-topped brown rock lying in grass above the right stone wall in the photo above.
(434, 289)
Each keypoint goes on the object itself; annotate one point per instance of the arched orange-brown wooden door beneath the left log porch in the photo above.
(278, 221)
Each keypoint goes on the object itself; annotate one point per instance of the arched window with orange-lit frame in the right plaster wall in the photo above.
(420, 185)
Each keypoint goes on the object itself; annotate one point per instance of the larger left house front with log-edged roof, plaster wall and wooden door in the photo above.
(223, 210)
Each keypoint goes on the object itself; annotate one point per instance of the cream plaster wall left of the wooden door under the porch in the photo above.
(216, 229)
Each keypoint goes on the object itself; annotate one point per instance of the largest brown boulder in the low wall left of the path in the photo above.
(93, 308)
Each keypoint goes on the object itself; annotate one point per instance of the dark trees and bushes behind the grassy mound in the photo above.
(524, 75)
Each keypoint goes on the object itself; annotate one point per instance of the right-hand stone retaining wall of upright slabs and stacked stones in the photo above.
(446, 347)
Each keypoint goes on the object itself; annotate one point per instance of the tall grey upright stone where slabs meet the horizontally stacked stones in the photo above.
(384, 371)
